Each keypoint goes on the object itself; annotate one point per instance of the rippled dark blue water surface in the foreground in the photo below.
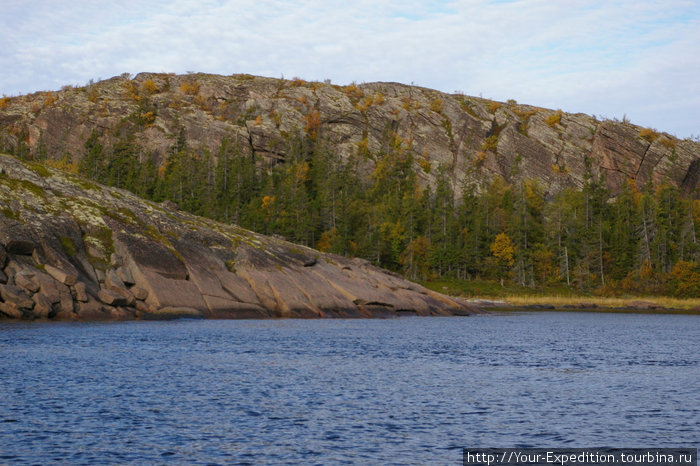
(408, 390)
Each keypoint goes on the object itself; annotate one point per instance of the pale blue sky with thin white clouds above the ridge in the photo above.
(638, 59)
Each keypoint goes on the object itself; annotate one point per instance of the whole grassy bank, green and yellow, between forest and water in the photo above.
(560, 297)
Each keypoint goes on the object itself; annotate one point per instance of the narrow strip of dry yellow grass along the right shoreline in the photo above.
(663, 301)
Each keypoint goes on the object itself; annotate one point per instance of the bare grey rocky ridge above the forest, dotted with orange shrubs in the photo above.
(468, 136)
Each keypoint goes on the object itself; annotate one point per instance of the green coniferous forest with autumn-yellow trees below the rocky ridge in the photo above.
(641, 241)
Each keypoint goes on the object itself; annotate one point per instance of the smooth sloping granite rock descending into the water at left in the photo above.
(73, 250)
